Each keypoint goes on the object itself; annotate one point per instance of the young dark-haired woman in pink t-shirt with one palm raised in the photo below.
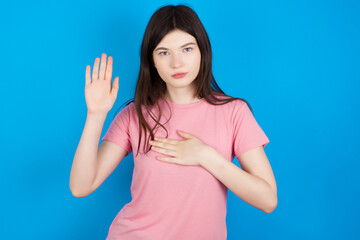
(185, 132)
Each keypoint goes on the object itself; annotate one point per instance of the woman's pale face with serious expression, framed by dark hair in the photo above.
(176, 53)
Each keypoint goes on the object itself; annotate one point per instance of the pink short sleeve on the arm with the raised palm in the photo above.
(118, 131)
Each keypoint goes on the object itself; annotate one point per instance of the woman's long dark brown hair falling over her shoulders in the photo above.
(150, 87)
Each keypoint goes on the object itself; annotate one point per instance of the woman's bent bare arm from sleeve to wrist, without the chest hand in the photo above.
(255, 184)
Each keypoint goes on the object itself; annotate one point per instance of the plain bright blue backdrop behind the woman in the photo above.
(296, 62)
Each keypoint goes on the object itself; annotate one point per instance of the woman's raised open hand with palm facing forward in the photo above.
(99, 95)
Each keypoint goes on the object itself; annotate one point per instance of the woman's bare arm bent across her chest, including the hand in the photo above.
(255, 184)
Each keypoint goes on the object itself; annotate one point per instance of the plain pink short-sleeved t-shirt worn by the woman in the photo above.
(179, 202)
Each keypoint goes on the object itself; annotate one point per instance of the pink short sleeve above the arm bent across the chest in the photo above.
(247, 132)
